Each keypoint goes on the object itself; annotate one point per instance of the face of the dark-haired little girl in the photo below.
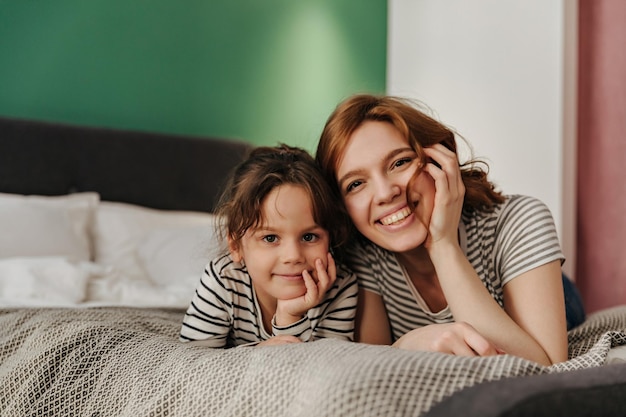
(287, 243)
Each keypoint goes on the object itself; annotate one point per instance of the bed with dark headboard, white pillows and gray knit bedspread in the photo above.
(104, 234)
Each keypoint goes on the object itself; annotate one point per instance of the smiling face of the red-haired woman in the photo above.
(373, 175)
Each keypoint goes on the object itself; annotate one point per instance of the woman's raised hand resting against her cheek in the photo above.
(449, 194)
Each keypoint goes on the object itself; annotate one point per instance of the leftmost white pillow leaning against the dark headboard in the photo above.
(46, 226)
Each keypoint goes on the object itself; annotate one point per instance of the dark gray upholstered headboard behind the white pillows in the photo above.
(171, 172)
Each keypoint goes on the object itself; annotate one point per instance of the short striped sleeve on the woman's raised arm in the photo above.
(527, 238)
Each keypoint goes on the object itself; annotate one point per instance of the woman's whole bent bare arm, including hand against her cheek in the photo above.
(519, 329)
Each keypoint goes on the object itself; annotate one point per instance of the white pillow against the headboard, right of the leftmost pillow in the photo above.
(120, 229)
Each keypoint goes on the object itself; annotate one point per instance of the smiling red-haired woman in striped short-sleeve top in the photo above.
(445, 262)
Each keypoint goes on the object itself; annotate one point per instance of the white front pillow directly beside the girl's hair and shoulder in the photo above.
(173, 255)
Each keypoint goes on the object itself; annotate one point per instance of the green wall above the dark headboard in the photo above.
(258, 70)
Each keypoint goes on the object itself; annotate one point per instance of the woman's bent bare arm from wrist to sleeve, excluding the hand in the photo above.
(529, 338)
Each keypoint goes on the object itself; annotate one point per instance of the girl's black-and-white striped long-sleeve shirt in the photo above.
(224, 311)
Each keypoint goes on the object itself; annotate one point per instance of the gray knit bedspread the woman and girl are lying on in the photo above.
(128, 362)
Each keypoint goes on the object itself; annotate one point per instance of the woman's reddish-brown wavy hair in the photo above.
(416, 126)
